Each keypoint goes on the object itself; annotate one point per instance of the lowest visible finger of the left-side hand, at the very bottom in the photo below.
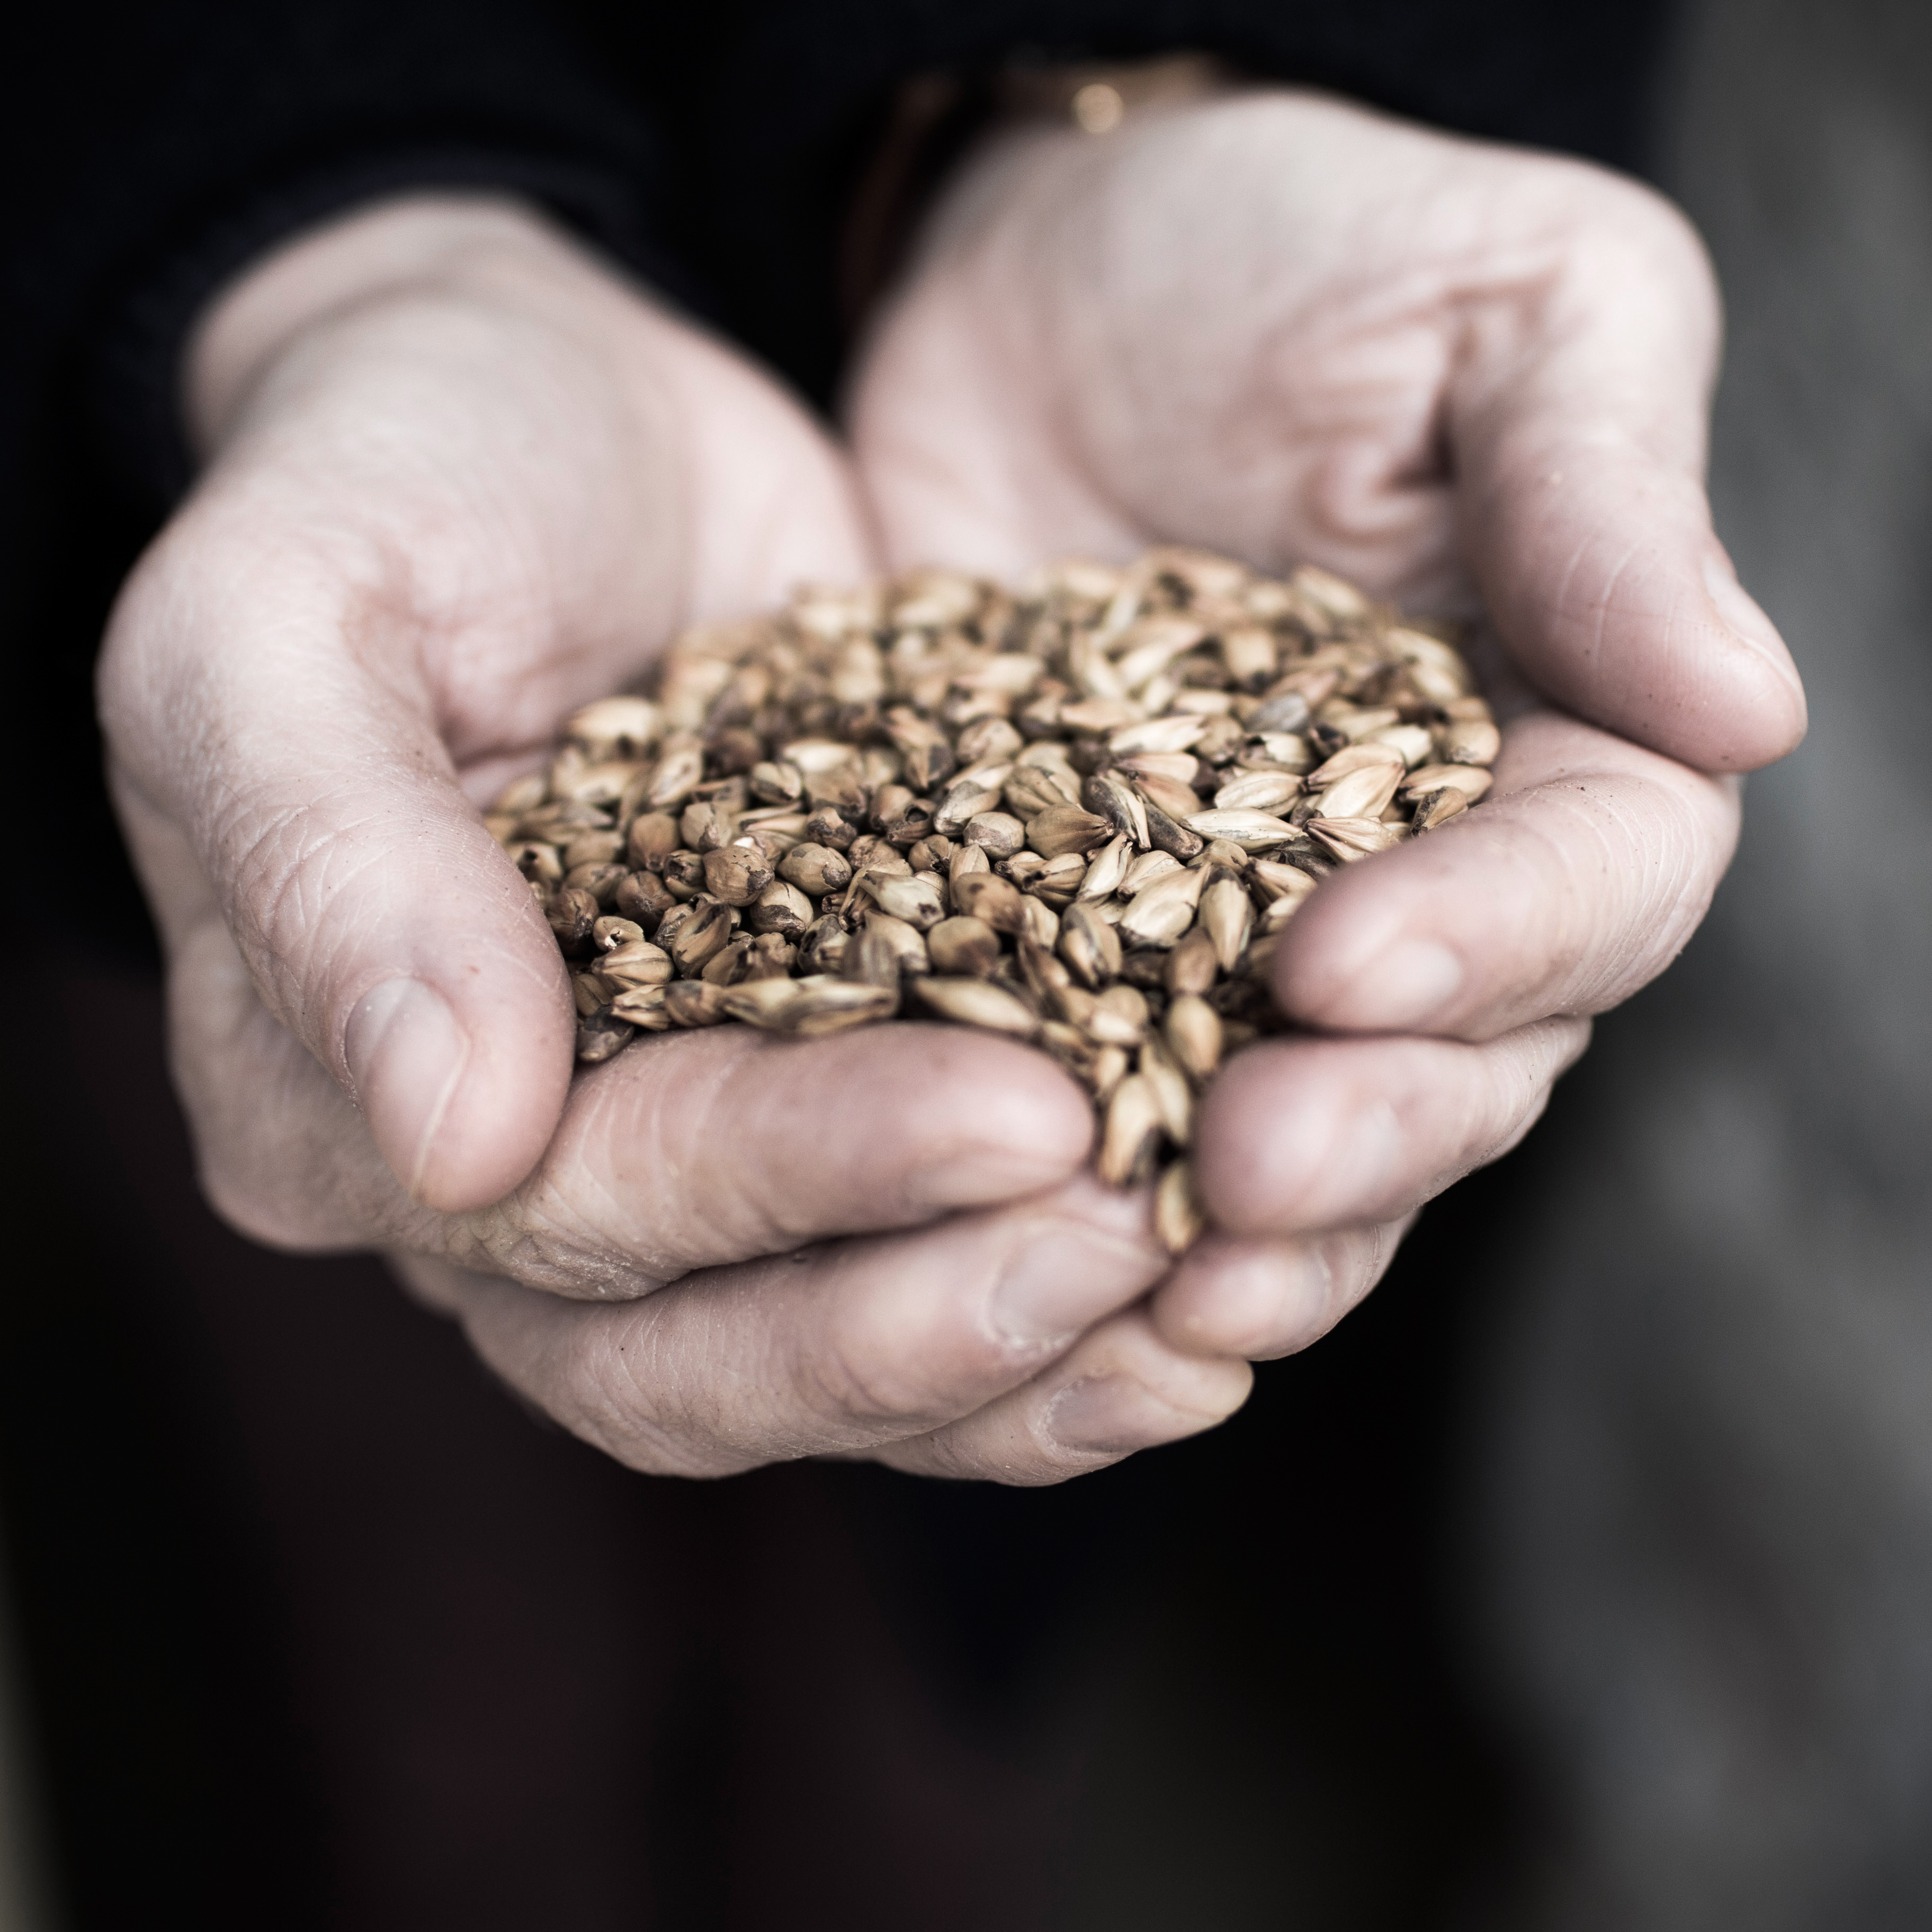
(1120, 1390)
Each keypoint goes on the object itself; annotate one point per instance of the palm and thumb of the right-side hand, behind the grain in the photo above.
(1292, 329)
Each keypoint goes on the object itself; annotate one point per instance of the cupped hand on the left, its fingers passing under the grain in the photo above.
(461, 478)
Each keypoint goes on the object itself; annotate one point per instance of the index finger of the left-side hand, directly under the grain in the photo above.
(683, 1152)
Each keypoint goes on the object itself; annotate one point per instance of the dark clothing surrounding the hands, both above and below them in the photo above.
(322, 1628)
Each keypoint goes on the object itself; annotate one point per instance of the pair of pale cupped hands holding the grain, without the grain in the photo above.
(461, 478)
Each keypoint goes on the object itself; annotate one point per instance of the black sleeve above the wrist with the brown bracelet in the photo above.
(793, 99)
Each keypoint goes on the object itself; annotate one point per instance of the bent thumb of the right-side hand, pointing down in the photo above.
(1577, 432)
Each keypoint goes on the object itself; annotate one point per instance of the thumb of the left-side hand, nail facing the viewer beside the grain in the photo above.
(271, 706)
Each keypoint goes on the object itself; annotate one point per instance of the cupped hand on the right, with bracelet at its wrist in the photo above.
(1473, 380)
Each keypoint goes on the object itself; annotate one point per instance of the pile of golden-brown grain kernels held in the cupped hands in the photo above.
(1077, 812)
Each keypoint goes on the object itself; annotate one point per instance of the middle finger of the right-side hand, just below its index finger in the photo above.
(1307, 1135)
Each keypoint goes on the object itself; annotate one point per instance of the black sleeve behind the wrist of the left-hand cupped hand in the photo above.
(167, 146)
